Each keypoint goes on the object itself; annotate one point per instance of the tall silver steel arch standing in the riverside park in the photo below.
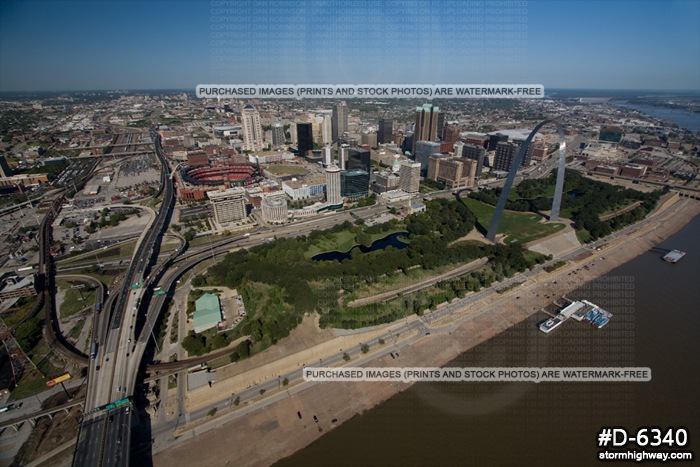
(556, 204)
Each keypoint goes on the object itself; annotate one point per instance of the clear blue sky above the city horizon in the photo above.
(130, 44)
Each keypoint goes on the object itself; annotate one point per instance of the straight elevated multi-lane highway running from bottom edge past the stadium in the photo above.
(104, 437)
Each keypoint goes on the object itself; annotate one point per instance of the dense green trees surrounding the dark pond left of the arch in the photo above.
(283, 266)
